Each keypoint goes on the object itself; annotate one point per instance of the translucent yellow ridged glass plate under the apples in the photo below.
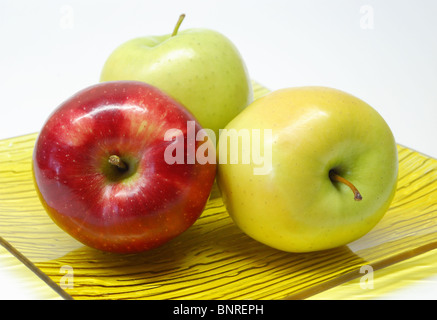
(213, 259)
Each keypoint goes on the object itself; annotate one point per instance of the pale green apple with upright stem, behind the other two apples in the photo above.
(200, 68)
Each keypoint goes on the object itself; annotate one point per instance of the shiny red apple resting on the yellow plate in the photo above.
(92, 200)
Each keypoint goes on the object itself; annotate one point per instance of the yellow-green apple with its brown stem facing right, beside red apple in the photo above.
(332, 174)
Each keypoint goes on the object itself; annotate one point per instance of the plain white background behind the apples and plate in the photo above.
(384, 52)
